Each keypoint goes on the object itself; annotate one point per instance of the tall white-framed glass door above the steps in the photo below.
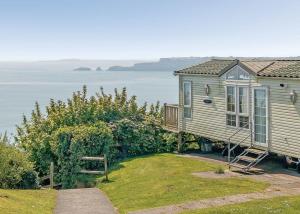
(260, 116)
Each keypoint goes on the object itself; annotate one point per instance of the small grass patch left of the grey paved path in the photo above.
(27, 201)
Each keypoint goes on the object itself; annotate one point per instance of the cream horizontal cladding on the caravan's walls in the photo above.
(209, 119)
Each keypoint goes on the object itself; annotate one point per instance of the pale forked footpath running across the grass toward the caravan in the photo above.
(281, 185)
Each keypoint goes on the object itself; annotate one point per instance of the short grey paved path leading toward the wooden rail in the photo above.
(83, 201)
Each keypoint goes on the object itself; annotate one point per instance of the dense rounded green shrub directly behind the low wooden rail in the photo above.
(76, 142)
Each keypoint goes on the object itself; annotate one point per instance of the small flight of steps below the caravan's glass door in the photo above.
(249, 158)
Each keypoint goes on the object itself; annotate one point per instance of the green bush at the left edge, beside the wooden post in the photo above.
(15, 169)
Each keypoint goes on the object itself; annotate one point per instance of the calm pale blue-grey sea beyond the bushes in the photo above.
(20, 89)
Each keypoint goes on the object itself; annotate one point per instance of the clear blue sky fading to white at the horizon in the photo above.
(146, 29)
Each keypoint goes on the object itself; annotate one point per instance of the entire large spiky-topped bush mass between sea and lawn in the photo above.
(91, 126)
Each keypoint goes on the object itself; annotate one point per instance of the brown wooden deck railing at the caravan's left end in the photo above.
(171, 116)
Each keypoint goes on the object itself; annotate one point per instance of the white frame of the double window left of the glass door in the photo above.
(237, 105)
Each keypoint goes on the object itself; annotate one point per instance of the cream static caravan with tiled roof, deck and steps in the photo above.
(251, 103)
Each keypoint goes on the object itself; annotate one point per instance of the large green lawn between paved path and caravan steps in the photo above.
(164, 179)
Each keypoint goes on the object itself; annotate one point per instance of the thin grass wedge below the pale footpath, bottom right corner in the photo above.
(287, 205)
